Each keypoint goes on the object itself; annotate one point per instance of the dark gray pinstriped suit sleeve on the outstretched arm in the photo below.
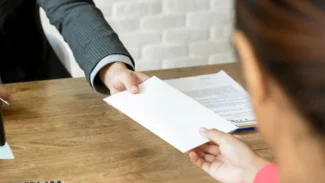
(84, 28)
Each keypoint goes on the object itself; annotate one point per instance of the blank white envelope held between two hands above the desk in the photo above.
(169, 114)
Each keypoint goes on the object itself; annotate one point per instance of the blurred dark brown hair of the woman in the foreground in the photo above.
(288, 40)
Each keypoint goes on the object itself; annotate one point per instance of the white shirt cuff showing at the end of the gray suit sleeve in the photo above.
(99, 86)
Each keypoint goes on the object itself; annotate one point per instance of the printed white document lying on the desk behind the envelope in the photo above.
(220, 93)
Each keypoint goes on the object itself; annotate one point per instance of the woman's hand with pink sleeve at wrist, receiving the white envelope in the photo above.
(226, 158)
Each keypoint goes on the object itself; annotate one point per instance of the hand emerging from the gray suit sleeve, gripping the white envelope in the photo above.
(117, 77)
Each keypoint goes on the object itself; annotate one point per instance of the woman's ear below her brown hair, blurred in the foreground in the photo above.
(253, 74)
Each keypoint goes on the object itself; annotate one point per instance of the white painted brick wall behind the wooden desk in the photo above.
(167, 33)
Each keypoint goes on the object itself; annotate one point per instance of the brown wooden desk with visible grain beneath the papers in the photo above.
(62, 130)
